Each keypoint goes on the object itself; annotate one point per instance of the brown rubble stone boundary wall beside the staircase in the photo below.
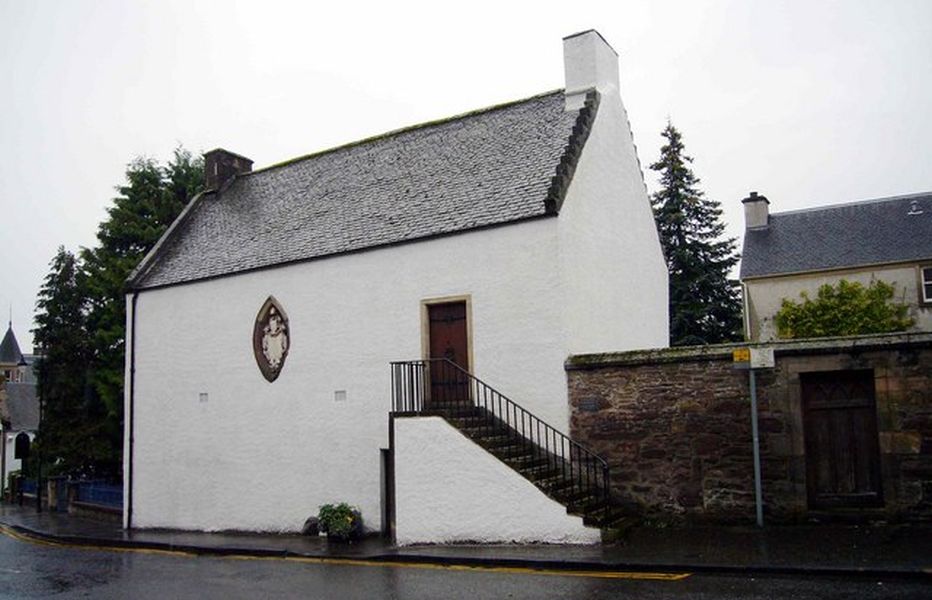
(675, 426)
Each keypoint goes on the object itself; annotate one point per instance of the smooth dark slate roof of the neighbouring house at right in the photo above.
(872, 232)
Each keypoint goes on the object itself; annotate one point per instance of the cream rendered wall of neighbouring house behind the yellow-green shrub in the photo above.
(763, 297)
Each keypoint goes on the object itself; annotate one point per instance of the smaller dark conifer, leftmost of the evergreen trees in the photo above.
(69, 433)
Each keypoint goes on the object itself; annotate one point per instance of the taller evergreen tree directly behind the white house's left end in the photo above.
(148, 203)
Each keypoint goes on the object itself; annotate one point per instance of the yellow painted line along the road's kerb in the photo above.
(356, 562)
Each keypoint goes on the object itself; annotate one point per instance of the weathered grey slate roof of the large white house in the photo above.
(499, 165)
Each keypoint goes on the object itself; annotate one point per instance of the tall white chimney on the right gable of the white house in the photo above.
(589, 63)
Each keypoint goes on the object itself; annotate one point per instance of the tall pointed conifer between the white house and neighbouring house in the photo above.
(705, 306)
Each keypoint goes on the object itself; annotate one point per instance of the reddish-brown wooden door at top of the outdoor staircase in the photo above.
(448, 339)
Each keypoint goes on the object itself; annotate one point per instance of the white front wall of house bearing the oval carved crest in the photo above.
(263, 456)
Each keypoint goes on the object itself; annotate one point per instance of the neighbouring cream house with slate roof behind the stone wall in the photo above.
(888, 239)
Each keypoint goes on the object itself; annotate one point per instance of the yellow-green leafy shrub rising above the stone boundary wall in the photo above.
(847, 308)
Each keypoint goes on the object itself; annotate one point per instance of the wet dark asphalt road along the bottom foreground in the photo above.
(33, 570)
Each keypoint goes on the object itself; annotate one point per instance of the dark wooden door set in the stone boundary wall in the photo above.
(842, 446)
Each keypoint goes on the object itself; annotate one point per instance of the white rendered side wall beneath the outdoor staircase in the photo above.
(448, 489)
